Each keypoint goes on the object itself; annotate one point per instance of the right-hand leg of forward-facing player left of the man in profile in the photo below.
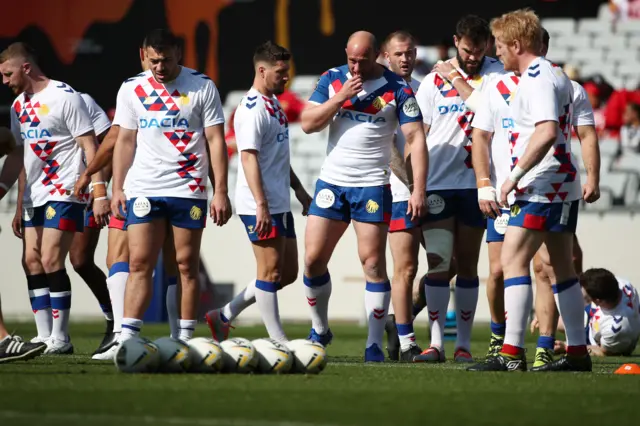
(187, 246)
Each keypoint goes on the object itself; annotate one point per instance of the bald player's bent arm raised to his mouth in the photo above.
(321, 108)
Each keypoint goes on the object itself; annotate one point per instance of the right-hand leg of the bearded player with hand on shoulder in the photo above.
(467, 253)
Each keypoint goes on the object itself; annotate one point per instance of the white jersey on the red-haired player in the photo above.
(545, 94)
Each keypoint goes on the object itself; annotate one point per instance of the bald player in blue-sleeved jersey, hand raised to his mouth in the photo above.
(363, 103)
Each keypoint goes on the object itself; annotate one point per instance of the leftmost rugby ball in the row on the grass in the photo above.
(137, 355)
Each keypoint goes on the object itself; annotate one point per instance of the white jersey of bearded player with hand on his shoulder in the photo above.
(449, 136)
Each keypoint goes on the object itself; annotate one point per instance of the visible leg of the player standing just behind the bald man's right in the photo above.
(404, 250)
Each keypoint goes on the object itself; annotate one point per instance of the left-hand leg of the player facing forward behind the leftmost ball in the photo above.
(145, 242)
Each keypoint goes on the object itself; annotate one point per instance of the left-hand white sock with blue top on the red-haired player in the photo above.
(518, 299)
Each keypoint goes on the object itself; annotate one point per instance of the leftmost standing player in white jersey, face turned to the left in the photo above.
(52, 120)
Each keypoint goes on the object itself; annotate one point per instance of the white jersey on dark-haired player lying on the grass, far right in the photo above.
(618, 329)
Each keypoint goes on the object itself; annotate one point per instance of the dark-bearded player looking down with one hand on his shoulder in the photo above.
(448, 99)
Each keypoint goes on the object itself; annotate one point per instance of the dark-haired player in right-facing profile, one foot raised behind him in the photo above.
(262, 193)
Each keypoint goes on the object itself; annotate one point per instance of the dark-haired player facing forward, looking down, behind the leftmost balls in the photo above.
(172, 119)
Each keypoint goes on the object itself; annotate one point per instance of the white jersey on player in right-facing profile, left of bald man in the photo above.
(261, 124)
